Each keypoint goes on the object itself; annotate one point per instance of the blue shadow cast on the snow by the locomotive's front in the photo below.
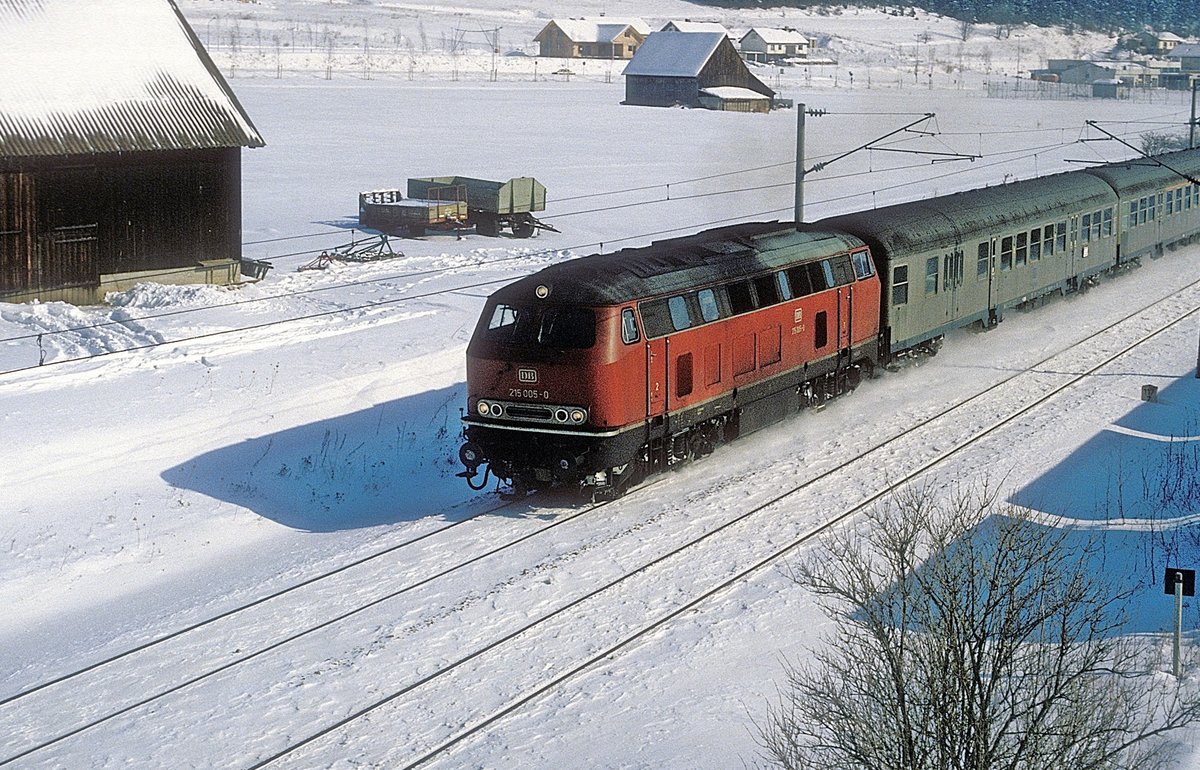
(393, 462)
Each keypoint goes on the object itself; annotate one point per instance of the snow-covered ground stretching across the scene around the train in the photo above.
(185, 452)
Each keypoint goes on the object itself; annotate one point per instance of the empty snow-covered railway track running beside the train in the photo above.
(435, 712)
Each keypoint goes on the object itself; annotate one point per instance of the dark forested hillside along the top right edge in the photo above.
(1109, 16)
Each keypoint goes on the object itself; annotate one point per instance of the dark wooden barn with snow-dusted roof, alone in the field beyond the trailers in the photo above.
(675, 68)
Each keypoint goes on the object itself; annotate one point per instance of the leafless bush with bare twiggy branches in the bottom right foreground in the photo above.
(971, 639)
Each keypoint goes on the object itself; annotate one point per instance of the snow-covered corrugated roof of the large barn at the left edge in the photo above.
(83, 77)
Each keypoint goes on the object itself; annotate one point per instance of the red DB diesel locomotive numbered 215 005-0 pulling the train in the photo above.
(598, 371)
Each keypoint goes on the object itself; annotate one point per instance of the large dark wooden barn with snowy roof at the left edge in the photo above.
(121, 152)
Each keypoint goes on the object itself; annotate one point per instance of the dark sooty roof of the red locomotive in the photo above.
(679, 264)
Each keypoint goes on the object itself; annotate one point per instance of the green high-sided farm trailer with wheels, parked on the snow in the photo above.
(491, 207)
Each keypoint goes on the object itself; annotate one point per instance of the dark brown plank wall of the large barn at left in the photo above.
(64, 222)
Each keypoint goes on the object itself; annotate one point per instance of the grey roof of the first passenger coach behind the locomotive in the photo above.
(946, 221)
